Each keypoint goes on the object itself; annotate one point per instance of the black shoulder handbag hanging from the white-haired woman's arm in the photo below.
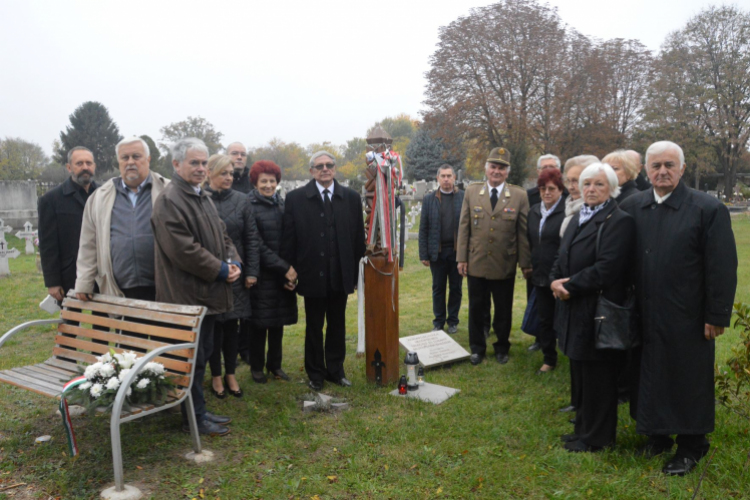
(615, 326)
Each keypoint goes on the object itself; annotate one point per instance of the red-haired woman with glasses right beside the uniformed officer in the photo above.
(544, 223)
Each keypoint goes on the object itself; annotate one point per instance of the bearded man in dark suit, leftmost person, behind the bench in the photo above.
(60, 218)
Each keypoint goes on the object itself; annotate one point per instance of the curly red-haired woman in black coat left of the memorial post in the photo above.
(273, 305)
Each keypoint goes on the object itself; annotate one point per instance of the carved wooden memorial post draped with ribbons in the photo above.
(381, 269)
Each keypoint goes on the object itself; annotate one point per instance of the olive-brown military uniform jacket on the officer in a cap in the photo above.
(491, 241)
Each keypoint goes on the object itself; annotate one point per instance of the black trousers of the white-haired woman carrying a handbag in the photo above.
(596, 418)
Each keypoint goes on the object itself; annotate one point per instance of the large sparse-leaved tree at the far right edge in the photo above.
(703, 82)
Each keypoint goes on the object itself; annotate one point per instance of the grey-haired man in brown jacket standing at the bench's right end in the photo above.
(195, 261)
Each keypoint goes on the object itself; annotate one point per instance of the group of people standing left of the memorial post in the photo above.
(217, 235)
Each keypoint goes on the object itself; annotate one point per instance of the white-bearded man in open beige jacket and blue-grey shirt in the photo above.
(117, 243)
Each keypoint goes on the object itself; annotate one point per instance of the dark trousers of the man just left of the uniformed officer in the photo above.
(445, 272)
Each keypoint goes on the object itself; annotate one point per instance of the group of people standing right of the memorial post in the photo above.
(611, 234)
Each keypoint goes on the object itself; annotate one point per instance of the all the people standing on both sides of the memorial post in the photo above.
(219, 235)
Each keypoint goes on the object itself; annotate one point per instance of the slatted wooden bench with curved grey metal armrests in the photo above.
(165, 333)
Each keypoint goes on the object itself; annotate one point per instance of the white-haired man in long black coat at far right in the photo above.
(686, 278)
